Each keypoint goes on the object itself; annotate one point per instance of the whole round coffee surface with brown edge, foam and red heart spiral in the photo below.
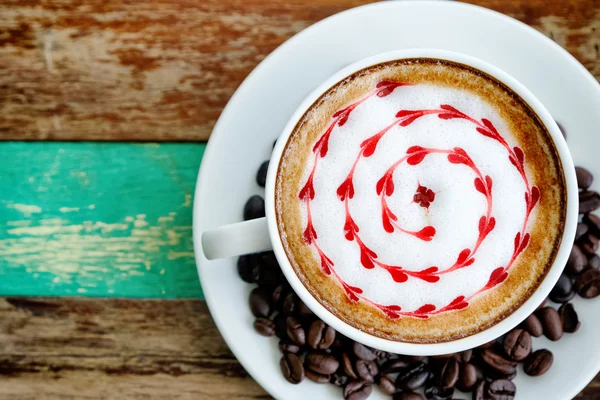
(420, 200)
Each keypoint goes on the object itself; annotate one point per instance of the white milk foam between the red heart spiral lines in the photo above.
(455, 212)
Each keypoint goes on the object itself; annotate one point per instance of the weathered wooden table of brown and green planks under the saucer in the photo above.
(112, 218)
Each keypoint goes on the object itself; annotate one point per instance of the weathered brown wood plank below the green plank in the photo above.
(74, 348)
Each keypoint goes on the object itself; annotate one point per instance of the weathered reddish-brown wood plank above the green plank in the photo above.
(163, 69)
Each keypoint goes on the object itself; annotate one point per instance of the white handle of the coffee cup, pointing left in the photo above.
(235, 239)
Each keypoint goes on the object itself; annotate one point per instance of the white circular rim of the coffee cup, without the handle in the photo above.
(476, 339)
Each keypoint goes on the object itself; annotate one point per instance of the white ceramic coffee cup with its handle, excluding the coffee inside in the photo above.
(263, 234)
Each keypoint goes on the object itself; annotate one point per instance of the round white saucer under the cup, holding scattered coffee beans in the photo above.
(258, 111)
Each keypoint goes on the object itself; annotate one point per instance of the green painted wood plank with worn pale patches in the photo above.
(98, 219)
